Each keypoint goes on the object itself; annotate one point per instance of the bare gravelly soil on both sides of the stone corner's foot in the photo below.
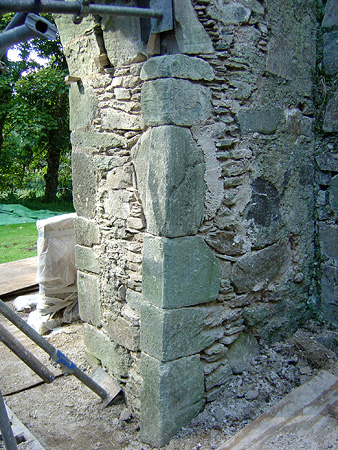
(66, 415)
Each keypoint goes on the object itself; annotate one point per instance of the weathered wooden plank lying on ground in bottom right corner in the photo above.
(305, 418)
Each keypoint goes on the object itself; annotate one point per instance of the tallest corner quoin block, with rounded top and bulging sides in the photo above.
(170, 176)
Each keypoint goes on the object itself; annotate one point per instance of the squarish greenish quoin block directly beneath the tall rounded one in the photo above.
(179, 272)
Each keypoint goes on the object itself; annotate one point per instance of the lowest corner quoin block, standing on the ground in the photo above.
(172, 394)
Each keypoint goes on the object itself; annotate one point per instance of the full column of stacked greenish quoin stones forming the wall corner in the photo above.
(178, 268)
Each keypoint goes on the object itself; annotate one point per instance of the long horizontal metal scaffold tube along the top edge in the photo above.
(75, 7)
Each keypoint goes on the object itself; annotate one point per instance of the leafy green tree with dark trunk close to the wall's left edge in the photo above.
(39, 115)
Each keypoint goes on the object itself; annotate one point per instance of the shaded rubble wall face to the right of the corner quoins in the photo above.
(262, 126)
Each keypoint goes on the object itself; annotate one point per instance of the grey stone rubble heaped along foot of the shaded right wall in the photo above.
(275, 372)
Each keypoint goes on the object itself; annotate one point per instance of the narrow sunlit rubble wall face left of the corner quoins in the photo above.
(105, 59)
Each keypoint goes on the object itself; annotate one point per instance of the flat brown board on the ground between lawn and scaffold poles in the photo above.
(17, 276)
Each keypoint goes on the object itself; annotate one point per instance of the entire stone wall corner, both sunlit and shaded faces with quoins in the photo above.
(194, 188)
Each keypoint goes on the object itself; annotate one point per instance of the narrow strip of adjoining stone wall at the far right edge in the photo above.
(326, 159)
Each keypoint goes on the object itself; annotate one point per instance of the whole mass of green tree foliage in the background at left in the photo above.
(34, 132)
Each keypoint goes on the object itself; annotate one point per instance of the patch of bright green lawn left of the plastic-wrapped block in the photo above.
(17, 241)
